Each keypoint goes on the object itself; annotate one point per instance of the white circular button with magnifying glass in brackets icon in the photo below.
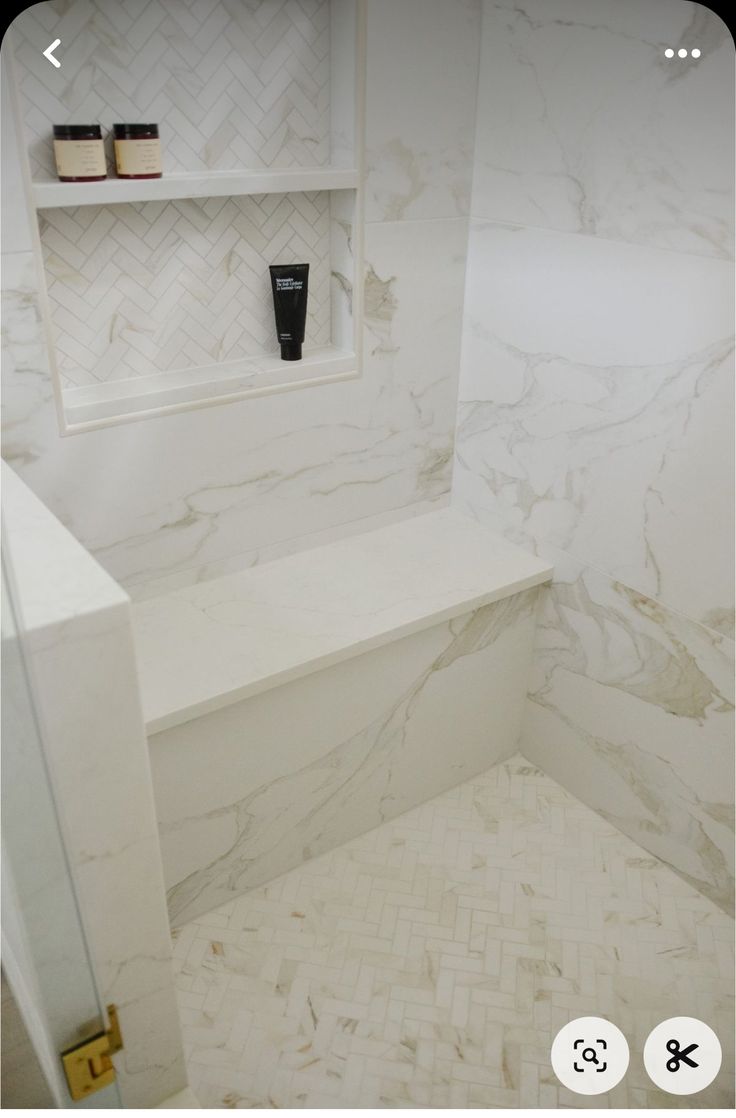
(590, 1056)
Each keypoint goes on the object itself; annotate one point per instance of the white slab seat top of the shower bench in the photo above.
(213, 645)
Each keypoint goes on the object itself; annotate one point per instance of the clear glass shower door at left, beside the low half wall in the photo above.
(45, 955)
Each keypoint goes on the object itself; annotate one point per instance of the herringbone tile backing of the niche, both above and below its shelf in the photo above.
(163, 287)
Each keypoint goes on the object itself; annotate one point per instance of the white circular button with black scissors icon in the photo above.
(683, 1056)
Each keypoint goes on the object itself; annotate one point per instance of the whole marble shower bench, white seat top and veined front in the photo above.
(296, 705)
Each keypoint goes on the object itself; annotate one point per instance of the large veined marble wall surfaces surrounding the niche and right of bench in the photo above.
(596, 396)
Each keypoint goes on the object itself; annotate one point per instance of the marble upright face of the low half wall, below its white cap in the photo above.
(114, 842)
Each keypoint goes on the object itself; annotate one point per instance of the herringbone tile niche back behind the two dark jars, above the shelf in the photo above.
(233, 84)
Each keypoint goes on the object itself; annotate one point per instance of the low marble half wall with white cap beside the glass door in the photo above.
(82, 665)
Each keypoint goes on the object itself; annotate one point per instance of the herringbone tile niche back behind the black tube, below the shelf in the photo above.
(158, 287)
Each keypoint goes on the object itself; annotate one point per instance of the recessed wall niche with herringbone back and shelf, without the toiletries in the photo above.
(156, 292)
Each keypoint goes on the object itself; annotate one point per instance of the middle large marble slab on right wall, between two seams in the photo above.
(596, 409)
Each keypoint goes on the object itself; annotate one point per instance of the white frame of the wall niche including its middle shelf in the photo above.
(159, 394)
